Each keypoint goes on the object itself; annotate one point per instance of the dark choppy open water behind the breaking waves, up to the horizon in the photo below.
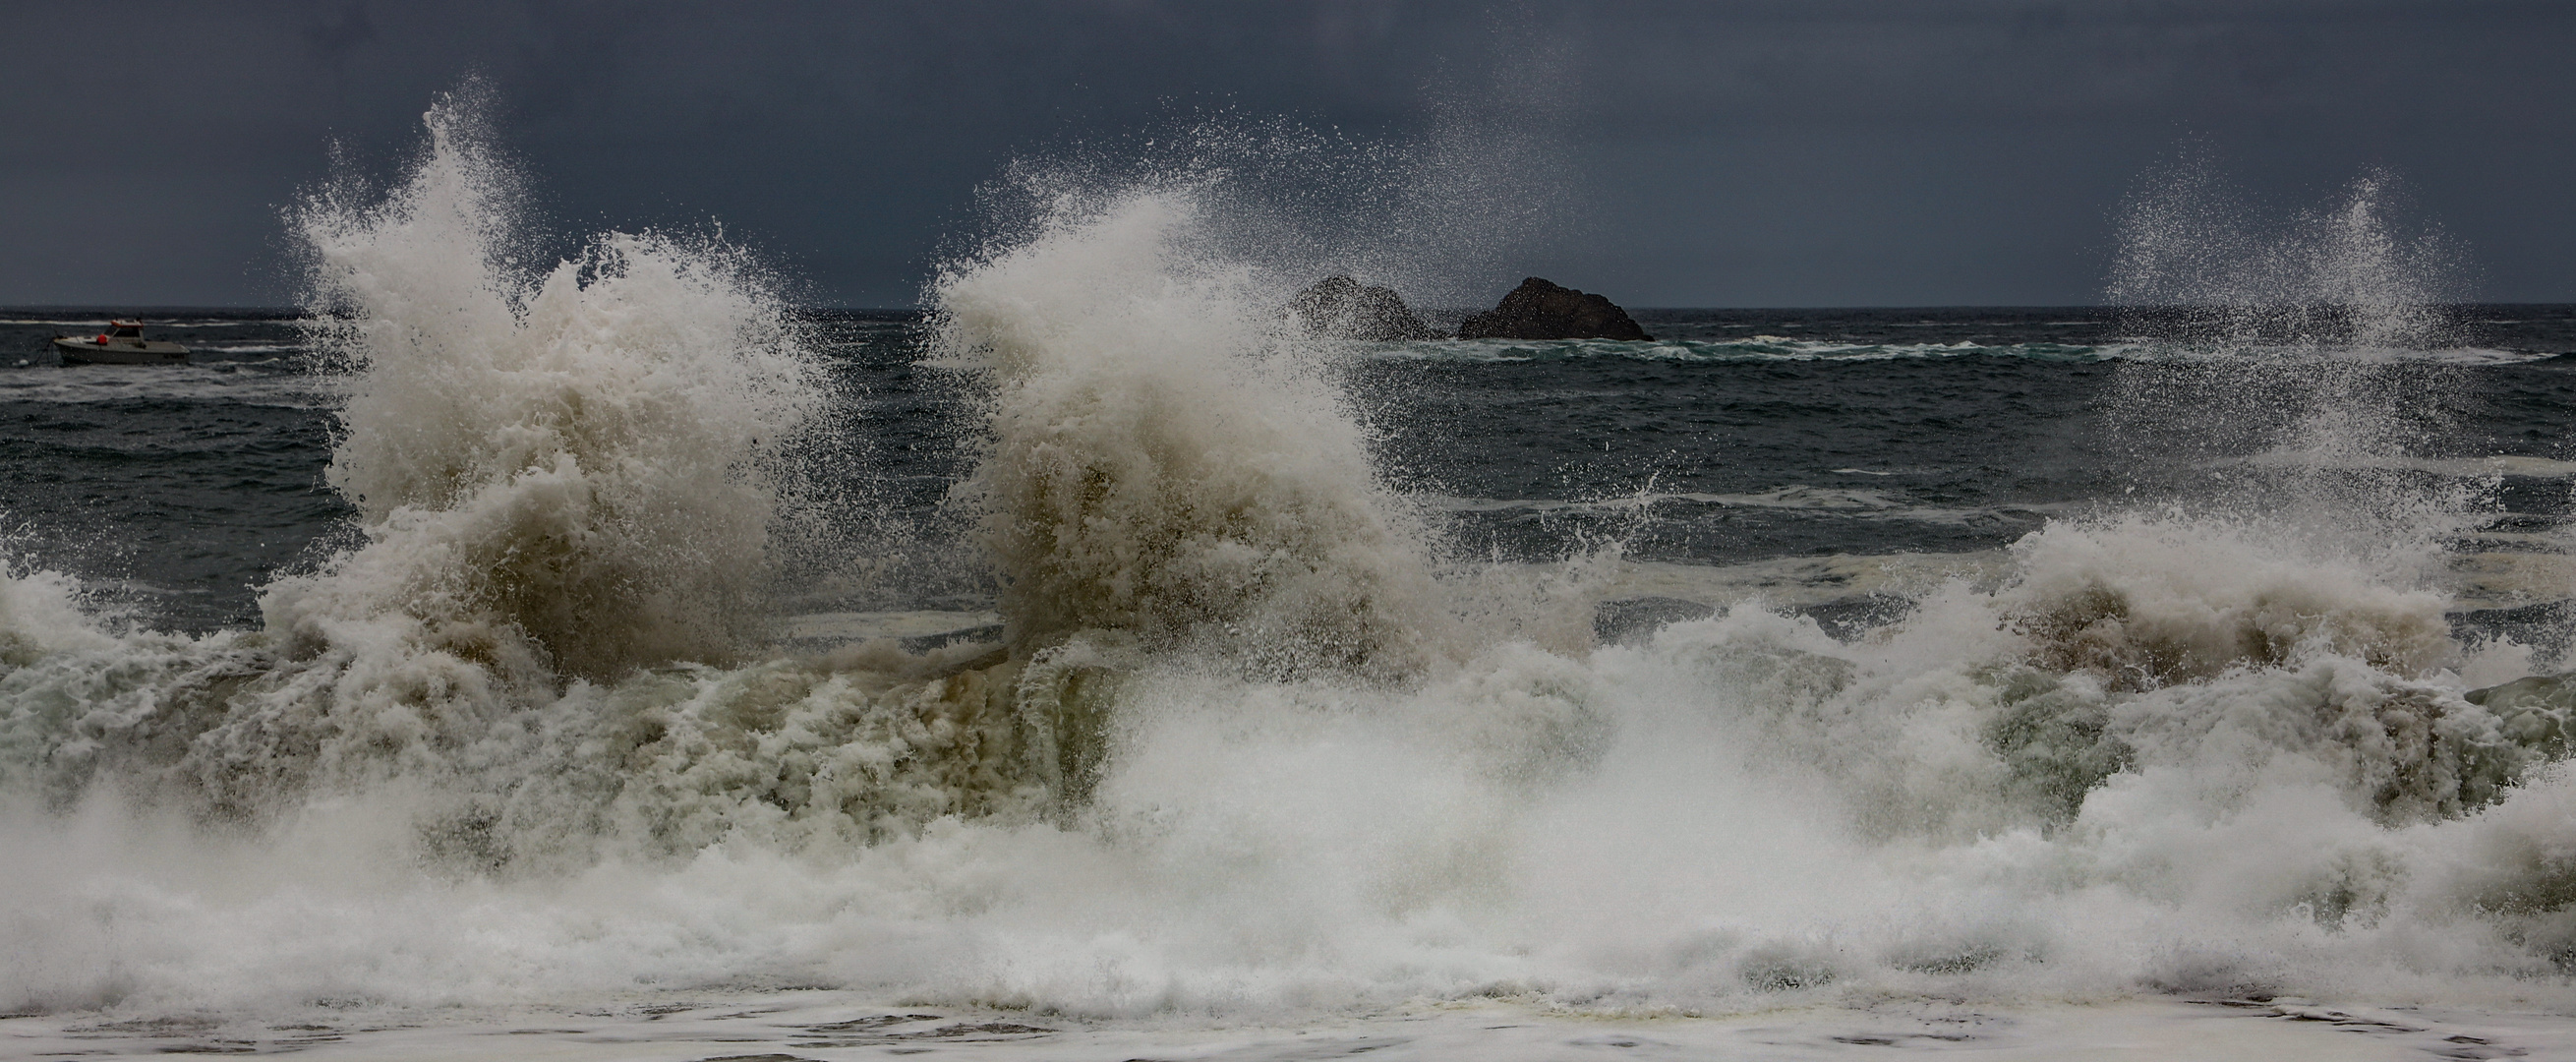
(184, 491)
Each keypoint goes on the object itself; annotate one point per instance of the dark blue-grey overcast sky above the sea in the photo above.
(1696, 153)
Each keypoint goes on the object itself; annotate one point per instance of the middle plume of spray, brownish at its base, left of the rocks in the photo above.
(1163, 468)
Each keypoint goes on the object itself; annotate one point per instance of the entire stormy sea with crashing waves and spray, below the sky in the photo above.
(612, 659)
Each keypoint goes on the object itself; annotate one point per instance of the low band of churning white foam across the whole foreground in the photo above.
(1735, 816)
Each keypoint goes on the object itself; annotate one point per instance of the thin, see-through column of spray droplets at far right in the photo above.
(2289, 357)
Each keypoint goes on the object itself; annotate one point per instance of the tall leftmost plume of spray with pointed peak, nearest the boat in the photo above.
(553, 465)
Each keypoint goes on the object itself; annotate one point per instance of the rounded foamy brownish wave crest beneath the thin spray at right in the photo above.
(2240, 656)
